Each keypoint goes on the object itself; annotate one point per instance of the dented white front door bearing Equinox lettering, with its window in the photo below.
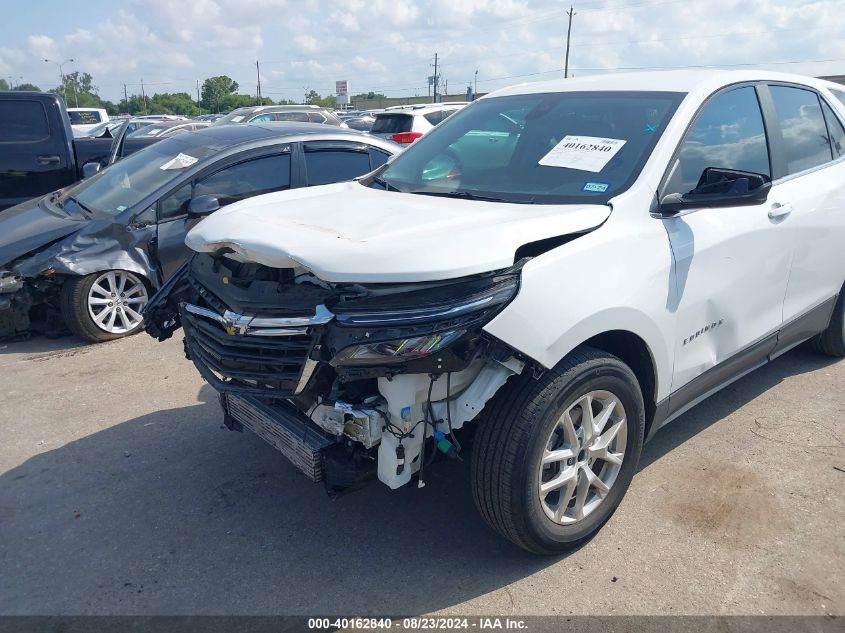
(731, 263)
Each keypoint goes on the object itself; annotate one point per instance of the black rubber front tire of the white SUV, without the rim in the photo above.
(510, 440)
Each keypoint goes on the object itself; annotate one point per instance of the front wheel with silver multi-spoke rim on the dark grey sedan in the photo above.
(94, 309)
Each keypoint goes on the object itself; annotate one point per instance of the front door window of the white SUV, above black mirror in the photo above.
(729, 134)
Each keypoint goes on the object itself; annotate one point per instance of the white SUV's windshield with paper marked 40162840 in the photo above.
(543, 148)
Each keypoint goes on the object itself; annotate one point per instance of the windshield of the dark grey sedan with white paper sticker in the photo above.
(132, 179)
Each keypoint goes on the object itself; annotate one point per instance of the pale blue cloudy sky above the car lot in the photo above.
(388, 46)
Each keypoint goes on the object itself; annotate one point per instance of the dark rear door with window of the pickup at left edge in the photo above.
(34, 150)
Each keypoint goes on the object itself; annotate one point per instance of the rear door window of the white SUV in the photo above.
(804, 133)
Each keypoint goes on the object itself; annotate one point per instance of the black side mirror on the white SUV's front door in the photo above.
(719, 188)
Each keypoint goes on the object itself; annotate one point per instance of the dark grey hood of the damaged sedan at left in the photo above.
(31, 225)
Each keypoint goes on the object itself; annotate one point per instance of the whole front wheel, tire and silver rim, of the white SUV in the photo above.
(526, 419)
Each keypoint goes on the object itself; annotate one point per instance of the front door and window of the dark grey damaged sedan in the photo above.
(237, 180)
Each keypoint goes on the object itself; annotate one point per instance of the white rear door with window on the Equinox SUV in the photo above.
(807, 201)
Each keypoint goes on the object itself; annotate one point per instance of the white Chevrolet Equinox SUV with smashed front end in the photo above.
(549, 277)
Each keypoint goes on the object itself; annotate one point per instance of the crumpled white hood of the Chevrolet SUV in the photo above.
(351, 233)
